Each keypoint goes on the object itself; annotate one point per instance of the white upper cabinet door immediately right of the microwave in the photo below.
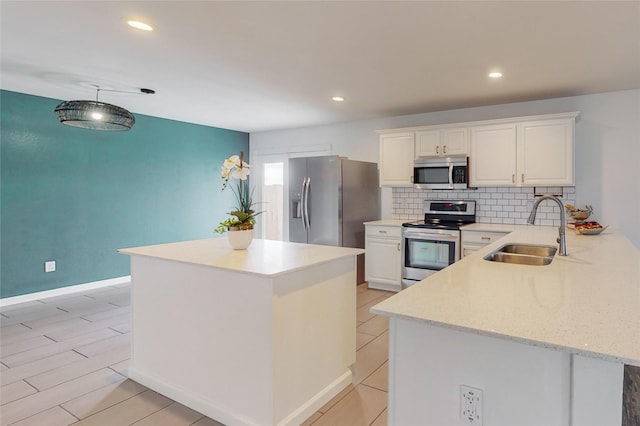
(493, 155)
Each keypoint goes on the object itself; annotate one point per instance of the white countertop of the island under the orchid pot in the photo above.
(263, 257)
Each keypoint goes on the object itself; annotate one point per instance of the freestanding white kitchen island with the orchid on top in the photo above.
(263, 336)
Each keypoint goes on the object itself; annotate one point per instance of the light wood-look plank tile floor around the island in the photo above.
(64, 361)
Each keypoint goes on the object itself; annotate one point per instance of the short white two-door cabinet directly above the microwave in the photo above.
(442, 142)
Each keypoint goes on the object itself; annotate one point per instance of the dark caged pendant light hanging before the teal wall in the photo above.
(96, 115)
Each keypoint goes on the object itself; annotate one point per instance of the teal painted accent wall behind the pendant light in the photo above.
(75, 195)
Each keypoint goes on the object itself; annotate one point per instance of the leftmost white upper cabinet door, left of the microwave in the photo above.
(396, 159)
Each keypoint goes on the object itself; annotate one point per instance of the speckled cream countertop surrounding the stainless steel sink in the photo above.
(587, 303)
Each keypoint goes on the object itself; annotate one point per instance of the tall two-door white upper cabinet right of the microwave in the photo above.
(535, 152)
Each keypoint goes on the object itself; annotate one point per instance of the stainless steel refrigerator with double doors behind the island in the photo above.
(330, 198)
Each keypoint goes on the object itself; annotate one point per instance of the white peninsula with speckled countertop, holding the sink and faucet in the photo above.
(545, 344)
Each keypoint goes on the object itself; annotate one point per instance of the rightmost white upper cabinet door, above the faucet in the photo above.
(546, 152)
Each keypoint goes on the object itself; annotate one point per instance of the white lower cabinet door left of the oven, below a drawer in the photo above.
(382, 261)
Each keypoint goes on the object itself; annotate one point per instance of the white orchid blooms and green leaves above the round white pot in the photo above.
(244, 215)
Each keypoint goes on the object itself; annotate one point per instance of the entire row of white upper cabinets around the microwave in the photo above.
(520, 151)
